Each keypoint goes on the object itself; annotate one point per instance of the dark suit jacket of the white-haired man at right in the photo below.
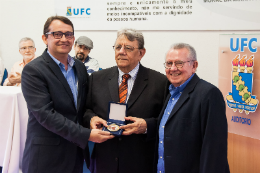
(195, 135)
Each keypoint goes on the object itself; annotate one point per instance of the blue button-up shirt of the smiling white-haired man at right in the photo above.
(175, 95)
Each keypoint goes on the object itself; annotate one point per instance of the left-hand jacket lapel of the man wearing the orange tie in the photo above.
(113, 84)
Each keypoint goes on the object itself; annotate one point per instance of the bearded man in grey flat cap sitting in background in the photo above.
(82, 48)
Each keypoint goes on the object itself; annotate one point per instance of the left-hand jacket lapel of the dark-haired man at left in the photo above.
(57, 72)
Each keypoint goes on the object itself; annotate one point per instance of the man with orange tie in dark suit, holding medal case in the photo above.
(132, 152)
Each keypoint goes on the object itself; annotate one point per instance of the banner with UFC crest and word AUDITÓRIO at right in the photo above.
(239, 81)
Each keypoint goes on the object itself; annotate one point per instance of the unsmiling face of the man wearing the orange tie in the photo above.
(127, 61)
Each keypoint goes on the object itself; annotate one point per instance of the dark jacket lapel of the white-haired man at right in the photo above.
(184, 96)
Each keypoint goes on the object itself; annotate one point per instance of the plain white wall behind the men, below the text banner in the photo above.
(26, 19)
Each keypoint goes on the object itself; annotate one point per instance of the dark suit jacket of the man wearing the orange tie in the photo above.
(134, 153)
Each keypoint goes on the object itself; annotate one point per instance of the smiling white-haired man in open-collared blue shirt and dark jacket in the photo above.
(192, 135)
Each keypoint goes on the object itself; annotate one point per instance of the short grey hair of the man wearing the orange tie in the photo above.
(132, 35)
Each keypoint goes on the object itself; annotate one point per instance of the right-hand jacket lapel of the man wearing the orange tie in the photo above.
(139, 85)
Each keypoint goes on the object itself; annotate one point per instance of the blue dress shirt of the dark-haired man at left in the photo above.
(69, 75)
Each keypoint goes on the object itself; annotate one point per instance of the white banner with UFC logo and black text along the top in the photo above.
(161, 14)
